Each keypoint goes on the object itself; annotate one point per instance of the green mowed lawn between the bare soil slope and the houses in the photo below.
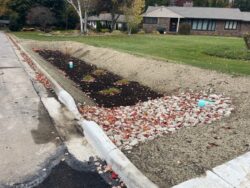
(189, 50)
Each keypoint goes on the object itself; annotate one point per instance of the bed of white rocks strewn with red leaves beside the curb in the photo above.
(130, 125)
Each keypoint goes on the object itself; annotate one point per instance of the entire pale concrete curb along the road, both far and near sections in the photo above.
(131, 176)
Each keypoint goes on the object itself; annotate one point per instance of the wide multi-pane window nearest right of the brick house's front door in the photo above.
(203, 24)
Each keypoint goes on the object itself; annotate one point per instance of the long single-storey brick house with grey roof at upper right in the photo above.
(203, 20)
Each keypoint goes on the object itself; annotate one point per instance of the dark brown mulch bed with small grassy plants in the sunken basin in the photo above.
(130, 93)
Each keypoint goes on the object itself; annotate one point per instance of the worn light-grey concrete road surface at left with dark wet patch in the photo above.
(28, 139)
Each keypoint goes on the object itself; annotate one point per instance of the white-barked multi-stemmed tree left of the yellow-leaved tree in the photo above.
(82, 6)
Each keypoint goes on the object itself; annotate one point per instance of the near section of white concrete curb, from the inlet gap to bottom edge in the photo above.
(120, 163)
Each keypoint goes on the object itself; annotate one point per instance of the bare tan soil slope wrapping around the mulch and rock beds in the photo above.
(187, 153)
